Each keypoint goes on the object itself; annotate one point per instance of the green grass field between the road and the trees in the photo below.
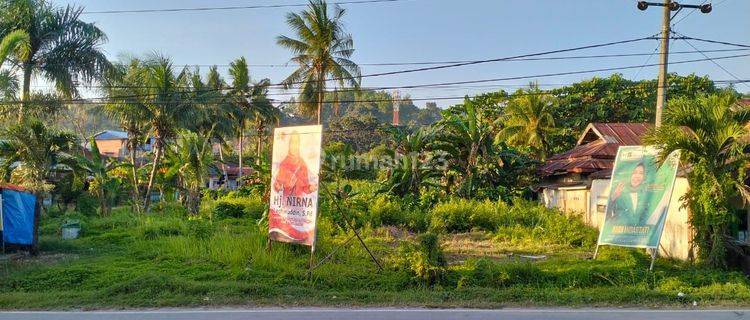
(167, 260)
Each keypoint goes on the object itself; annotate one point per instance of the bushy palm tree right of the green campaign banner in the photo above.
(711, 133)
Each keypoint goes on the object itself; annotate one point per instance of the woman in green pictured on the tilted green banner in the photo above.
(629, 201)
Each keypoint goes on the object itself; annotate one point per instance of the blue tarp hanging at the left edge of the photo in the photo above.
(18, 217)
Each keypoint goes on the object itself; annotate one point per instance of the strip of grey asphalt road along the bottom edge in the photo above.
(382, 314)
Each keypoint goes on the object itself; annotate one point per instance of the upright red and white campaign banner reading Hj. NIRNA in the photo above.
(294, 184)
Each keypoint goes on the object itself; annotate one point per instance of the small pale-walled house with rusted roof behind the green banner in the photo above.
(577, 182)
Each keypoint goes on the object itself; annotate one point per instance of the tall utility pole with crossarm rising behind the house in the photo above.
(668, 5)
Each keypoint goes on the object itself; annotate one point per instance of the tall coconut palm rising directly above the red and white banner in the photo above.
(322, 49)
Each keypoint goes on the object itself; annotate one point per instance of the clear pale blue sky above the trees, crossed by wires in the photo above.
(434, 30)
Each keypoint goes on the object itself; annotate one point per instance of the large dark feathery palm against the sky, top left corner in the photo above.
(61, 46)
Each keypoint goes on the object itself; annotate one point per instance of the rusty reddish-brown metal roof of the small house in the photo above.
(596, 149)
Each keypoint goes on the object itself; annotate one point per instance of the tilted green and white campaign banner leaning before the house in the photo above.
(639, 195)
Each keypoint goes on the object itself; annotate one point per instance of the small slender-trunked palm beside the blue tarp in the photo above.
(29, 153)
